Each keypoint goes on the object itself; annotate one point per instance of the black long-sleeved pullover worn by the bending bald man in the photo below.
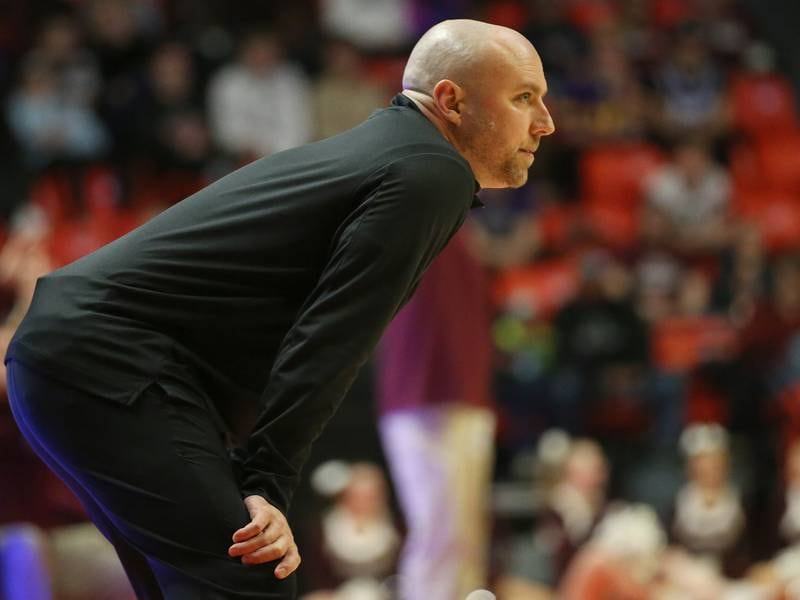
(268, 289)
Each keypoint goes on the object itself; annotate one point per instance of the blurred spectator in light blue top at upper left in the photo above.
(49, 127)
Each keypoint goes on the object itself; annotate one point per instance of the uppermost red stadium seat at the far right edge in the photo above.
(763, 105)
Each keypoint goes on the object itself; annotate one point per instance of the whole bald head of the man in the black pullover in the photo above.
(483, 87)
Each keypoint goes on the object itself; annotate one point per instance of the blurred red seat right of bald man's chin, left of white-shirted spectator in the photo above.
(615, 174)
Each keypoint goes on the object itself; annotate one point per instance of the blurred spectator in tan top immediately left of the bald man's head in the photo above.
(343, 96)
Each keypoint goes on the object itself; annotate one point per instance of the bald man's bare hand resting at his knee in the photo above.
(267, 537)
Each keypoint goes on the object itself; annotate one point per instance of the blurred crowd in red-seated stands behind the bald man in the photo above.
(645, 283)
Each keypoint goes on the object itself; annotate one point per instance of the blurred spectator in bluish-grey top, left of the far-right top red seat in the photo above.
(690, 90)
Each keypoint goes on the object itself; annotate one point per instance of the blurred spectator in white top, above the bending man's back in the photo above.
(260, 103)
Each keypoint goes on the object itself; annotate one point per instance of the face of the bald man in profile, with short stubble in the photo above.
(505, 117)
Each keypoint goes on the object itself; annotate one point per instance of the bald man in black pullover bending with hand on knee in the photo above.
(177, 377)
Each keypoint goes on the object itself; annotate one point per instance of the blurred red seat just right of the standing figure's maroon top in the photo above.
(540, 289)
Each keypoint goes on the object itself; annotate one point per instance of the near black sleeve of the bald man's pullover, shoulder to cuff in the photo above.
(375, 263)
